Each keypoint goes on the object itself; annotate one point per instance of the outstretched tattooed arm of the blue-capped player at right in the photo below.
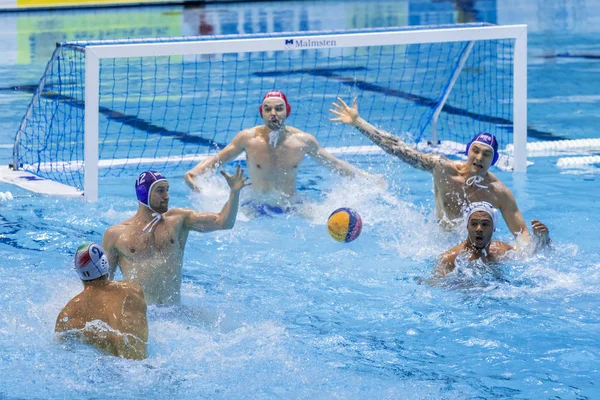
(388, 142)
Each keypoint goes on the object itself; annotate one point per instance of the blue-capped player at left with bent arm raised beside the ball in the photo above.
(149, 246)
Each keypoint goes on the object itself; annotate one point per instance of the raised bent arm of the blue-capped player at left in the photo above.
(225, 219)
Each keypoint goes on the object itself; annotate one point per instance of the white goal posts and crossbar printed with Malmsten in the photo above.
(94, 53)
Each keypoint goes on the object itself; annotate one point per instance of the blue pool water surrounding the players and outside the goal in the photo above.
(275, 308)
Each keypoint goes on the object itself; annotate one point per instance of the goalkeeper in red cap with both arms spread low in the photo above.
(274, 151)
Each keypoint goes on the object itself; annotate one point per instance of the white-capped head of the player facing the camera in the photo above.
(481, 218)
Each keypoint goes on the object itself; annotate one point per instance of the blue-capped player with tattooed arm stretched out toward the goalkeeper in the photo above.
(456, 184)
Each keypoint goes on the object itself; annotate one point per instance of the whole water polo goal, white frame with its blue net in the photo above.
(109, 108)
